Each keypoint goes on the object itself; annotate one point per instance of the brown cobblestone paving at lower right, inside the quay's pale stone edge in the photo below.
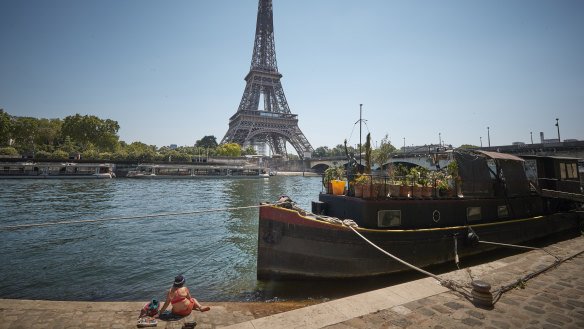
(553, 299)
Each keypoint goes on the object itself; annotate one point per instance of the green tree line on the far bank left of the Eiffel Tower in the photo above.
(94, 138)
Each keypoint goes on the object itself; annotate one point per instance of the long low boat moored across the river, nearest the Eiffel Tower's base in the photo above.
(179, 171)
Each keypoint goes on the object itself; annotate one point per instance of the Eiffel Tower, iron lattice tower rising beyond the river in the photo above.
(273, 125)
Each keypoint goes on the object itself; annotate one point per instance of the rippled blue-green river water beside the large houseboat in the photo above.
(138, 259)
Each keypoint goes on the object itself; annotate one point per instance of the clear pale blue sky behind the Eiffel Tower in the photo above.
(171, 72)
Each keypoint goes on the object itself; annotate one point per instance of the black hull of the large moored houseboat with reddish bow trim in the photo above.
(292, 246)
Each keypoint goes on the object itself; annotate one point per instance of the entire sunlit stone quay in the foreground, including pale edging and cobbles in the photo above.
(552, 299)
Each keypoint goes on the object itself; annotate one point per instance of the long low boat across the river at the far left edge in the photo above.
(36, 170)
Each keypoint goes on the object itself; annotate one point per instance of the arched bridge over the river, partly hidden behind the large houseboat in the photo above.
(574, 149)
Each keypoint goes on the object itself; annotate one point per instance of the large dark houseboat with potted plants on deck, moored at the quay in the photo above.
(493, 201)
